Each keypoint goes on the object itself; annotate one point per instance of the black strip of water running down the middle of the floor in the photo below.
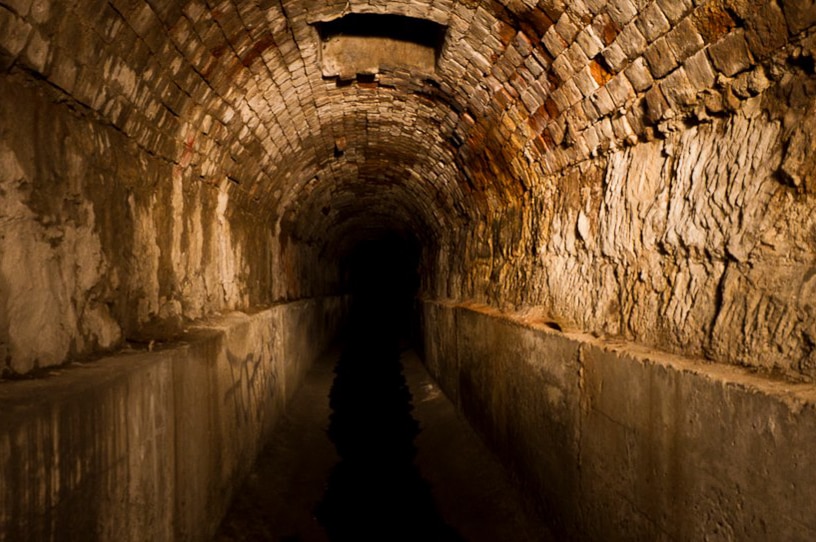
(376, 492)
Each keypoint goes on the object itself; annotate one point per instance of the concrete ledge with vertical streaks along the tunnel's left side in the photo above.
(150, 446)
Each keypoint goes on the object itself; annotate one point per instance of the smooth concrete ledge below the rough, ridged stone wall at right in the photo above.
(617, 442)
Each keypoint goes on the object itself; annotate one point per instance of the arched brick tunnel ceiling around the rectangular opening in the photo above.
(233, 89)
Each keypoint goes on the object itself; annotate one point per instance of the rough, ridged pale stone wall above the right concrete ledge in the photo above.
(697, 242)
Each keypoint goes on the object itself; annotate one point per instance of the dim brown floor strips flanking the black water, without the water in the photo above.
(469, 488)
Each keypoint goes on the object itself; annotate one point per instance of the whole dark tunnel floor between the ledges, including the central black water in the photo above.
(370, 449)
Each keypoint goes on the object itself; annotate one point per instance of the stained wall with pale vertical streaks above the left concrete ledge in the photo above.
(102, 242)
